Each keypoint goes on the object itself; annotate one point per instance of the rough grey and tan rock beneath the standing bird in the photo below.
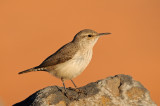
(119, 90)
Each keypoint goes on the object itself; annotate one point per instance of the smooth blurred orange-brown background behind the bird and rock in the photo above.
(32, 30)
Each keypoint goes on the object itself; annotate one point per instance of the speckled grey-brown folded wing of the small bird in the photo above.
(63, 54)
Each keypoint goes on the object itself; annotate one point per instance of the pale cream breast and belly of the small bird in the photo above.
(73, 67)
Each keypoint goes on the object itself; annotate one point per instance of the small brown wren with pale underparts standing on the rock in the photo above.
(71, 59)
